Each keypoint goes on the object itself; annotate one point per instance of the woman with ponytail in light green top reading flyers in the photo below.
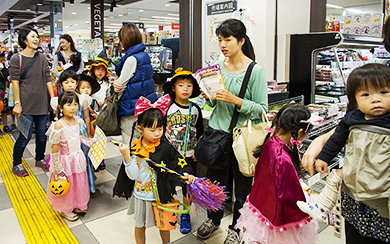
(239, 53)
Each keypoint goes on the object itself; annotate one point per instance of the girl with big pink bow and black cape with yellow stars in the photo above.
(151, 123)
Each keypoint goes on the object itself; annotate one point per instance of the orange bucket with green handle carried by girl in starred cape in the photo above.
(166, 214)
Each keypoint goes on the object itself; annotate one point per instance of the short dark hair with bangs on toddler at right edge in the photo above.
(372, 75)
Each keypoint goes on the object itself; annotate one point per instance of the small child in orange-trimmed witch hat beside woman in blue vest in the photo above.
(99, 71)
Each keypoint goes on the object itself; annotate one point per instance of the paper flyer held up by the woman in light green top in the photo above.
(210, 80)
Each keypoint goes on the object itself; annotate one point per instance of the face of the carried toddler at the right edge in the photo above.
(373, 102)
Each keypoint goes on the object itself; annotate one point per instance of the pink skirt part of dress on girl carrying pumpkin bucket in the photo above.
(78, 195)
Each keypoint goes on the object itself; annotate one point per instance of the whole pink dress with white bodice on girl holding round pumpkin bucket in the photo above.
(74, 165)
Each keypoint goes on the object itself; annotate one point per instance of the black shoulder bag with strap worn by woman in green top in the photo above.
(214, 148)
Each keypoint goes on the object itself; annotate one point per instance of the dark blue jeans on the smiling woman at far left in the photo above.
(40, 139)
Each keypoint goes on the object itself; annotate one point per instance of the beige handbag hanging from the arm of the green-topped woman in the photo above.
(245, 139)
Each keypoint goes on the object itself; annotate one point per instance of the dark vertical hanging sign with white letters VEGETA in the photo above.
(97, 19)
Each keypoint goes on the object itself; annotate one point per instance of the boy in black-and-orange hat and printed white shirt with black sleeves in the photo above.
(184, 125)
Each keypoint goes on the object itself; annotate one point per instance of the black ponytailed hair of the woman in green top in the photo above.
(234, 27)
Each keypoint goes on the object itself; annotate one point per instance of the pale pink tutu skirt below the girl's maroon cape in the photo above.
(254, 230)
